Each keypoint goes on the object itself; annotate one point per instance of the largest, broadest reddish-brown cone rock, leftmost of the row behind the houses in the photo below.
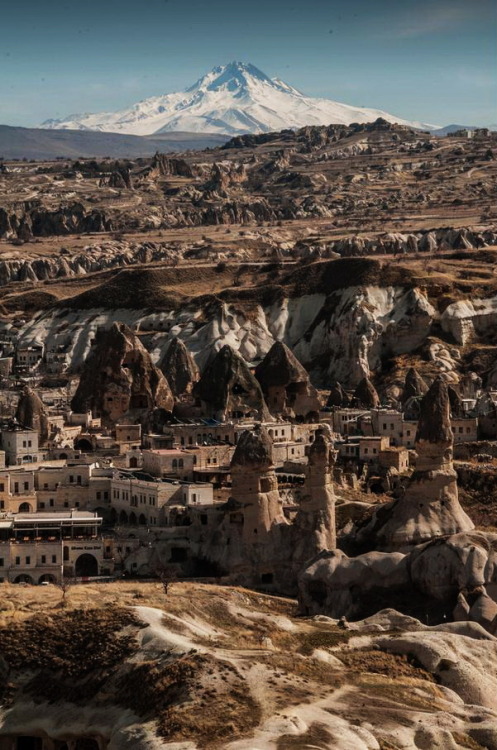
(119, 377)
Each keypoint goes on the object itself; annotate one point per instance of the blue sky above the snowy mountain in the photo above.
(429, 60)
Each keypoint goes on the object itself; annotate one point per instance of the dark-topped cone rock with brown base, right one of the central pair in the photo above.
(285, 383)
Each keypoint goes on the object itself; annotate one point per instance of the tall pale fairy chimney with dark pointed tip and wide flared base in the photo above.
(430, 506)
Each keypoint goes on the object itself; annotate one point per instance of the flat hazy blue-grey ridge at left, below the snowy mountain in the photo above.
(38, 143)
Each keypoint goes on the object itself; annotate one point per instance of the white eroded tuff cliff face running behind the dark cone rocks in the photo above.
(361, 325)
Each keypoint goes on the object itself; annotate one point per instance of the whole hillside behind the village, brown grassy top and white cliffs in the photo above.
(343, 319)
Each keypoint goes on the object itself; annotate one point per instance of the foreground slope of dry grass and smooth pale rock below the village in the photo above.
(206, 667)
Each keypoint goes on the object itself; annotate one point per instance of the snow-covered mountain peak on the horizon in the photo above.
(233, 99)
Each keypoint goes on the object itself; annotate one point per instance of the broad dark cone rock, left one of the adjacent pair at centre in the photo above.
(227, 388)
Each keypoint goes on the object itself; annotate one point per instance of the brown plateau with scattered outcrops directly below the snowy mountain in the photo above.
(359, 177)
